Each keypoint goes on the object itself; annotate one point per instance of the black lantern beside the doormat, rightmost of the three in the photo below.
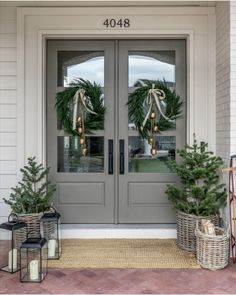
(50, 225)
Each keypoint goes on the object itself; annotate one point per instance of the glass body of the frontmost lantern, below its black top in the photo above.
(34, 266)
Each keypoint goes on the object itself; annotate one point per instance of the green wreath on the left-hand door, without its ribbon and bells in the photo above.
(65, 102)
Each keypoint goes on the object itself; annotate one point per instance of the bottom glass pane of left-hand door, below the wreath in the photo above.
(70, 158)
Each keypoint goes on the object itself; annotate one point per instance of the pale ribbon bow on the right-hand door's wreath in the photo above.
(154, 98)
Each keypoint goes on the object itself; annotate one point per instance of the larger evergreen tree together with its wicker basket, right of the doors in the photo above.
(199, 194)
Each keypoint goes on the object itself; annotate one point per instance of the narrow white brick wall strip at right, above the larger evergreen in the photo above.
(223, 79)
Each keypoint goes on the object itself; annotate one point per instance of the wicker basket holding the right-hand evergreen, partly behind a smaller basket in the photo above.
(186, 226)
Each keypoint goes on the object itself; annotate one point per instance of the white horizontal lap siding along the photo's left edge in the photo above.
(8, 68)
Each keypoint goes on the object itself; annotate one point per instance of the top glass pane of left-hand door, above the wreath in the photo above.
(88, 65)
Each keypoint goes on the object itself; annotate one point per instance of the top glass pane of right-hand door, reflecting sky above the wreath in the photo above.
(152, 65)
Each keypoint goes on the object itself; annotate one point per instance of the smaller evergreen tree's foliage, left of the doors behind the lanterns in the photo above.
(33, 193)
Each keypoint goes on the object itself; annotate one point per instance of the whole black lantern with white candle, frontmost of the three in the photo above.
(33, 260)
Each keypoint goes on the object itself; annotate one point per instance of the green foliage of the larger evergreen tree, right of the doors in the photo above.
(200, 192)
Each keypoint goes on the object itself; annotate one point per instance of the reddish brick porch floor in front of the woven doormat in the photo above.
(130, 281)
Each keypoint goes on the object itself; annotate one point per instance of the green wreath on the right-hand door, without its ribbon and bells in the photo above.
(136, 104)
